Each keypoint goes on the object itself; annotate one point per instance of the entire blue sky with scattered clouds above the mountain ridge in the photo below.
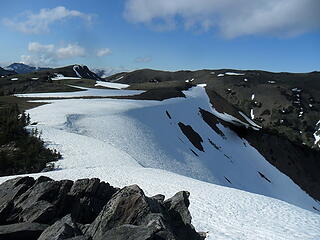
(283, 35)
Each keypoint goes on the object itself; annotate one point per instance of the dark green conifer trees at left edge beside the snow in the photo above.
(21, 151)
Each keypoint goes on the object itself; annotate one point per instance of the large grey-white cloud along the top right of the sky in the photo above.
(232, 18)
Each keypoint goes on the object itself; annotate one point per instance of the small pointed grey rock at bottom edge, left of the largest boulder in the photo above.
(61, 229)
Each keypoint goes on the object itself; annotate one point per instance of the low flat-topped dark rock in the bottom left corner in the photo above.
(22, 231)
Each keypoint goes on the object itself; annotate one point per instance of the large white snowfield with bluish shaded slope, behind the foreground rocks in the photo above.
(135, 142)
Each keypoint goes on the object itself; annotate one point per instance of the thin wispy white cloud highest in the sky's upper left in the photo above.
(40, 22)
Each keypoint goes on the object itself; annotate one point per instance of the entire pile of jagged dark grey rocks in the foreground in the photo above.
(89, 209)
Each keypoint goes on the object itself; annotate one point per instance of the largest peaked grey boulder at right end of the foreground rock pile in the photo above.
(131, 215)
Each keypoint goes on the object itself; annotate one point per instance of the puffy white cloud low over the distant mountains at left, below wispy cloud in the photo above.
(47, 55)
